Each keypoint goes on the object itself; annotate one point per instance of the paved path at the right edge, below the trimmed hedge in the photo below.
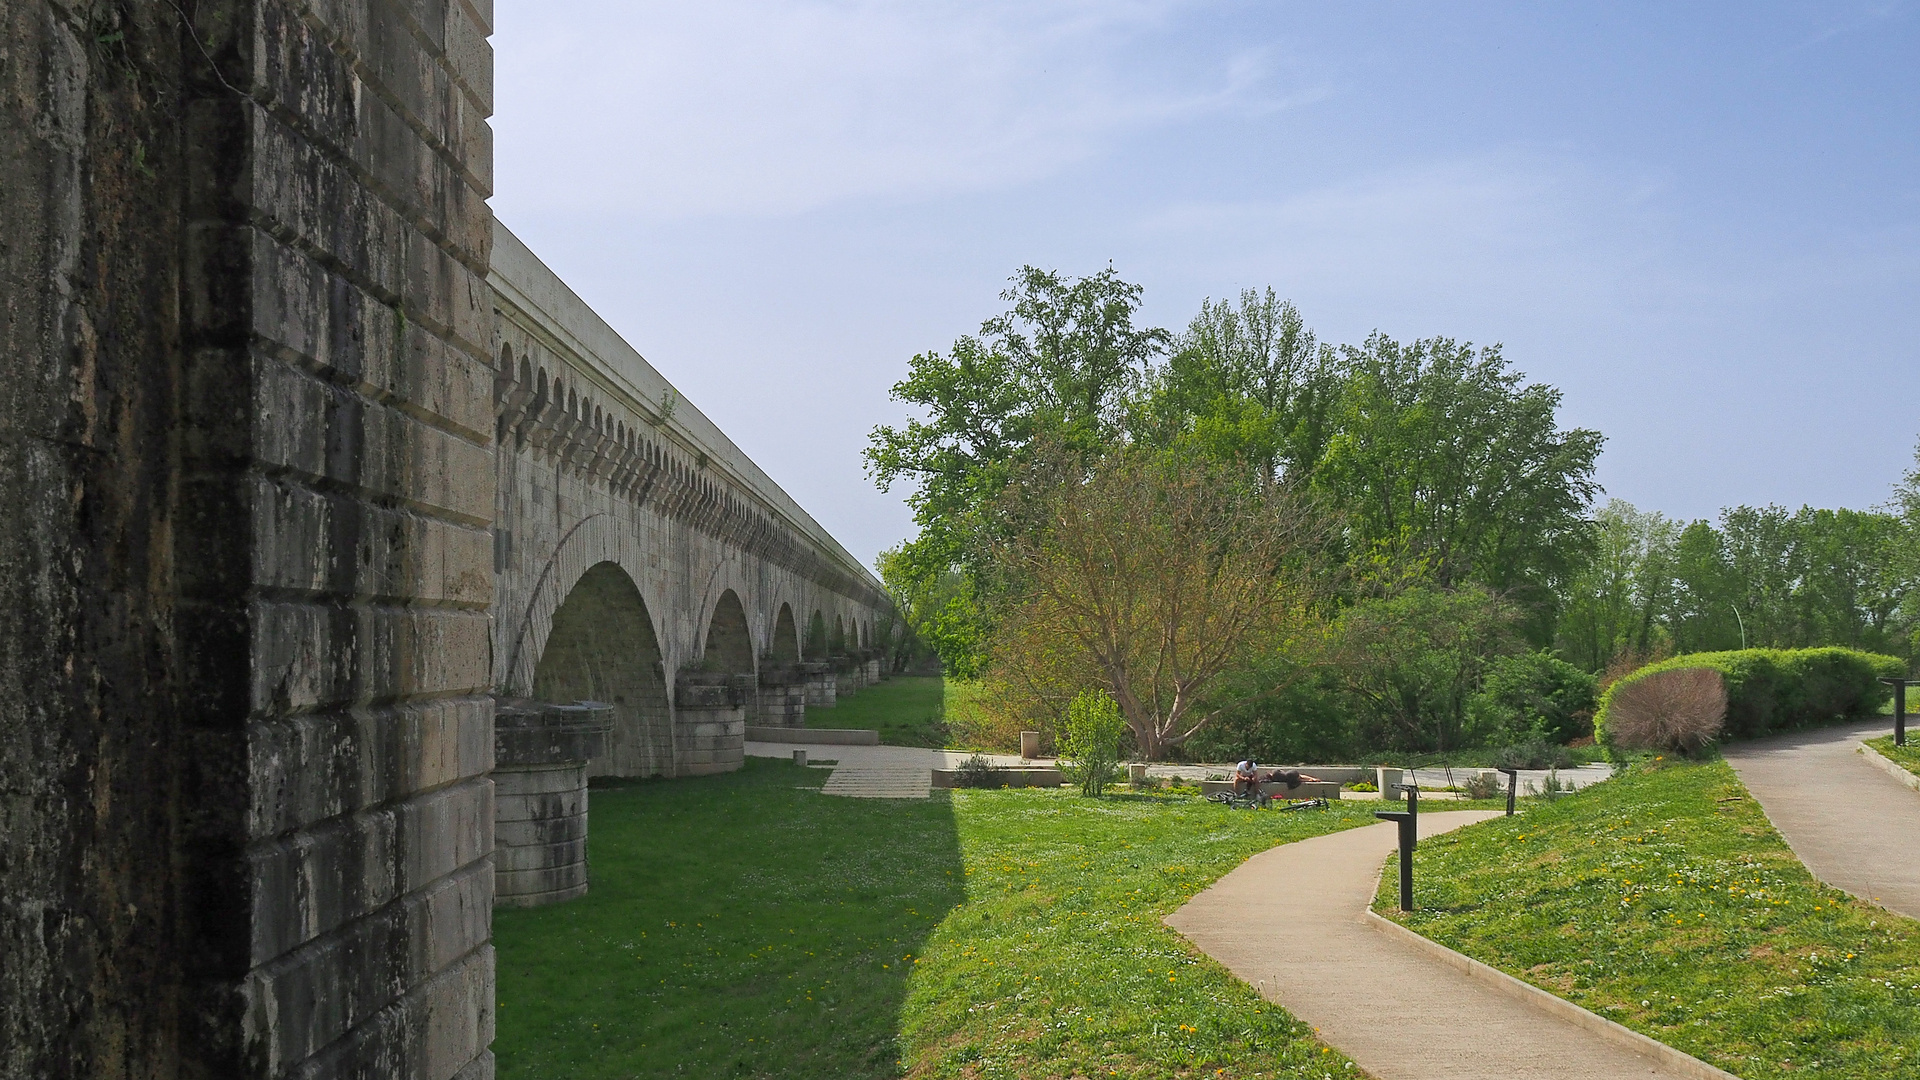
(1856, 827)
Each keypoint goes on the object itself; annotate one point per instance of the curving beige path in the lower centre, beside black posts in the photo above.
(1289, 923)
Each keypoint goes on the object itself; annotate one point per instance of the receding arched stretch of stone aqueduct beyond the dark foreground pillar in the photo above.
(642, 560)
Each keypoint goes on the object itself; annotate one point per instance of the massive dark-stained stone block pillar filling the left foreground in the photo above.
(247, 489)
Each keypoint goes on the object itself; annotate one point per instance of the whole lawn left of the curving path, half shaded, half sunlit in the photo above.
(750, 927)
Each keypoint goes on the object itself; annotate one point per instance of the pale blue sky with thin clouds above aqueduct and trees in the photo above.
(1700, 222)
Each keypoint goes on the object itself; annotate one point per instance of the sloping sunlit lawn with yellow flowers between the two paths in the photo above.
(1666, 900)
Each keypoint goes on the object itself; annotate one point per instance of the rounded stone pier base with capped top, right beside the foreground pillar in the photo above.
(540, 798)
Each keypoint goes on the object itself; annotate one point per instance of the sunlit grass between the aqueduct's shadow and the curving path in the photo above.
(1059, 966)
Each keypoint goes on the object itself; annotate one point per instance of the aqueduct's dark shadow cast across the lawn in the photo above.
(738, 925)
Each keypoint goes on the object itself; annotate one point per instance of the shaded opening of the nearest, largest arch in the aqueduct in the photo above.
(602, 649)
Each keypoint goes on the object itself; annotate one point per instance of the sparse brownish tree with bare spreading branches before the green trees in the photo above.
(1147, 576)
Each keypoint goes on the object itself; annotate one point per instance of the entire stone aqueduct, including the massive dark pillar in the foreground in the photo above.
(308, 474)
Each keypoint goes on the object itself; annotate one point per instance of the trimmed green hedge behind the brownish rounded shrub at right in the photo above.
(1773, 691)
